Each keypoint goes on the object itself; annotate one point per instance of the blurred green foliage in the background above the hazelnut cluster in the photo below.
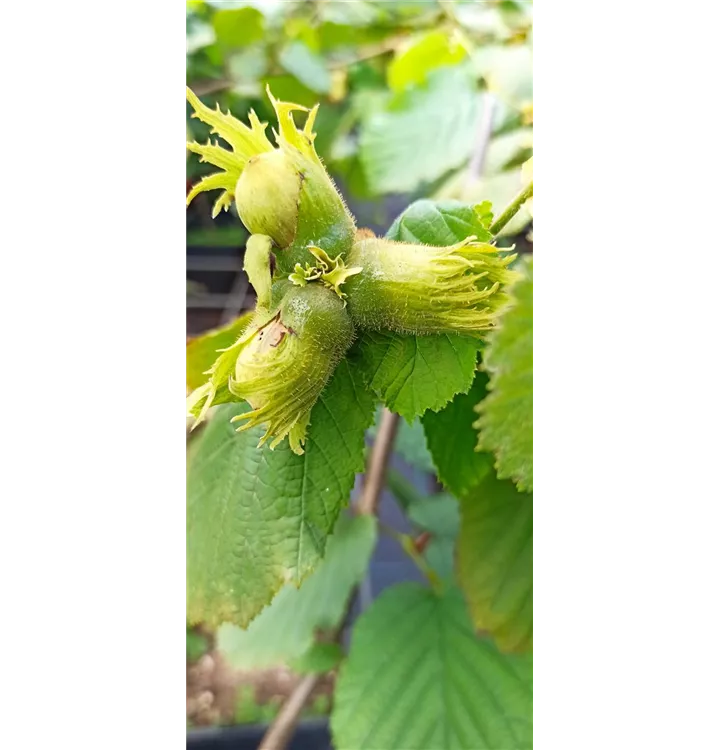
(404, 87)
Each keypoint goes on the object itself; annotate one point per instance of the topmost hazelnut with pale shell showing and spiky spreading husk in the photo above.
(284, 192)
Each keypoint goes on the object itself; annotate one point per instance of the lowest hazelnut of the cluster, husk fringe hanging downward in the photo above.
(283, 365)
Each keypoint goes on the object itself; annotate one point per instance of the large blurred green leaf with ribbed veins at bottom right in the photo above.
(417, 678)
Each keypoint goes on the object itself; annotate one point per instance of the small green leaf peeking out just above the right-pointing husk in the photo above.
(439, 223)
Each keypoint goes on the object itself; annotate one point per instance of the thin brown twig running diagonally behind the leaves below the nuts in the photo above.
(282, 728)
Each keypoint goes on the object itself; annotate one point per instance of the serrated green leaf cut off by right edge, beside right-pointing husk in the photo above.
(506, 424)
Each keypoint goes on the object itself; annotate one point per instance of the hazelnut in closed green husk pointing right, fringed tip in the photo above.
(427, 290)
